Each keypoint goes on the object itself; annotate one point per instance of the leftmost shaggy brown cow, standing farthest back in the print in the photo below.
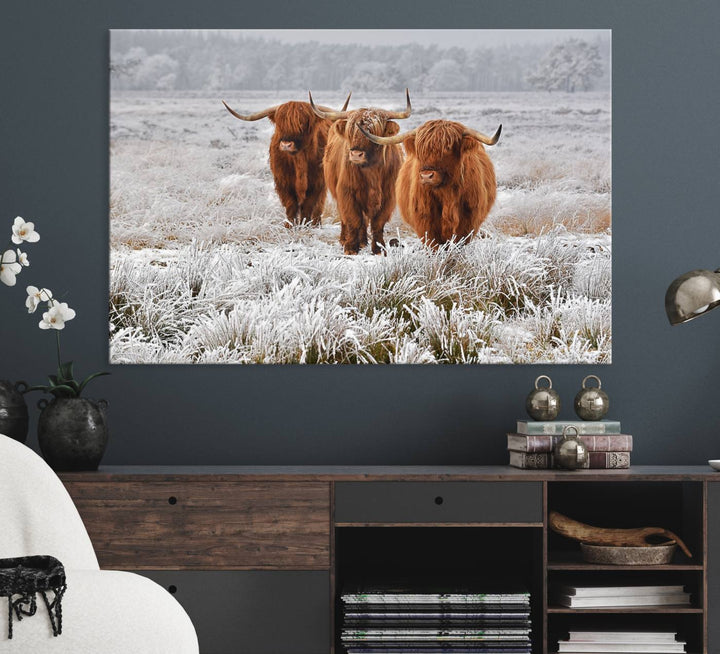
(296, 153)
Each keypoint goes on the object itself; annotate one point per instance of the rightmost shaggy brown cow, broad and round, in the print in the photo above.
(446, 186)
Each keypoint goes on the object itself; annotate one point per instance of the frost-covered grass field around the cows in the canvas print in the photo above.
(203, 271)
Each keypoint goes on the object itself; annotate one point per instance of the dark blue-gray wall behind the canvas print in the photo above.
(664, 383)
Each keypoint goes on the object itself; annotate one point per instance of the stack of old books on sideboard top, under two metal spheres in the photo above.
(531, 446)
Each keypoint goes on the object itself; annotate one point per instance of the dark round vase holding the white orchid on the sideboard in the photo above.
(72, 433)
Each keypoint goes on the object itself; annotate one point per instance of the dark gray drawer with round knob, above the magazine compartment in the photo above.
(443, 501)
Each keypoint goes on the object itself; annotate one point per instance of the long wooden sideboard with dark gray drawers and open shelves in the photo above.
(258, 555)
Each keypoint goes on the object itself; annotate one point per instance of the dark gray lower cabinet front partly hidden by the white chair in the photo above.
(255, 612)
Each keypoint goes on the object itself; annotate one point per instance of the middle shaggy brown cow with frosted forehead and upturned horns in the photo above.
(360, 174)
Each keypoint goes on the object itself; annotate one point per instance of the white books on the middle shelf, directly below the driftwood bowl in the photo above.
(584, 597)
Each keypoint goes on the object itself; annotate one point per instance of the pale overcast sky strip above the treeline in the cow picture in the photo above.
(444, 38)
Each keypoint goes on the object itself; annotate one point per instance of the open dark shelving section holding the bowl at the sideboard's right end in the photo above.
(677, 506)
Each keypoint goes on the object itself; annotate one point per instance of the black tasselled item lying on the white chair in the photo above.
(22, 578)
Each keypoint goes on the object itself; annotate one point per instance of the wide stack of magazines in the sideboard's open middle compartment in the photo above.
(392, 621)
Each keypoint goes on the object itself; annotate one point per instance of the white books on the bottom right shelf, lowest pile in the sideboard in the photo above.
(597, 642)
